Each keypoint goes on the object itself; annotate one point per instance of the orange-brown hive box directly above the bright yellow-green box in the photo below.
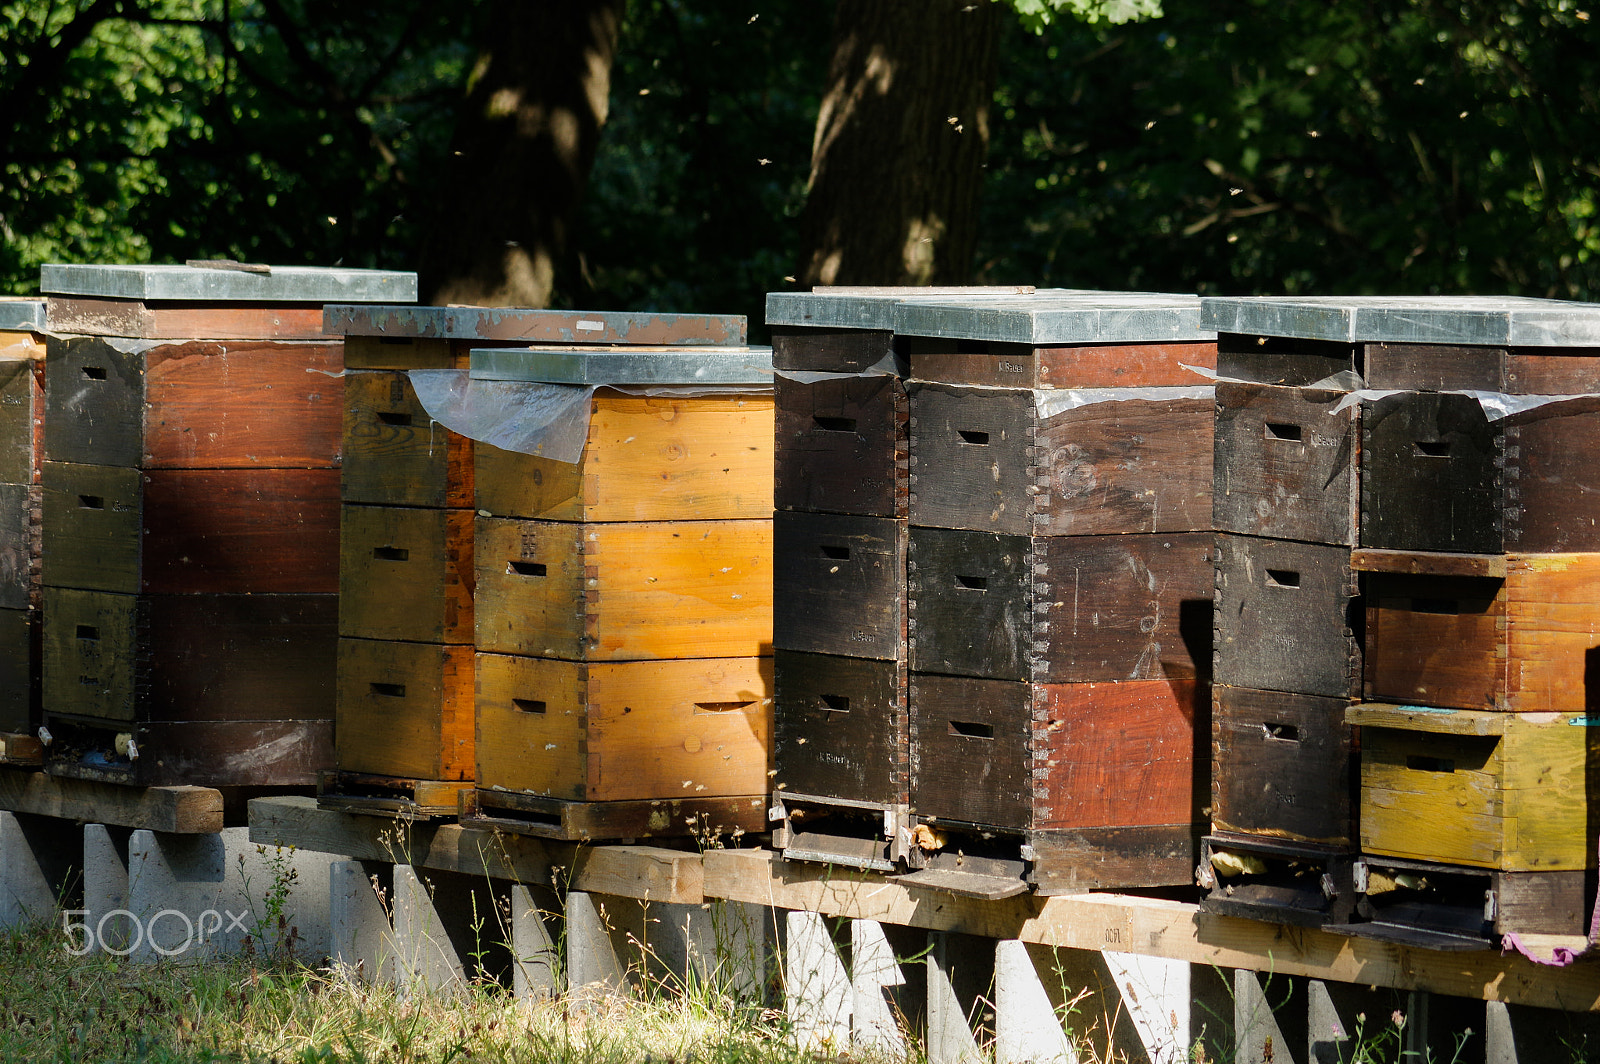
(1508, 633)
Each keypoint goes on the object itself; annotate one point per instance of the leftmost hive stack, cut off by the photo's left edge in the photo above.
(22, 425)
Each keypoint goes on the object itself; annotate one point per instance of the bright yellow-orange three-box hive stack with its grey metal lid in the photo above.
(625, 593)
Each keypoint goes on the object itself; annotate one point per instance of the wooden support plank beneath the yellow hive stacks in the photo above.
(642, 873)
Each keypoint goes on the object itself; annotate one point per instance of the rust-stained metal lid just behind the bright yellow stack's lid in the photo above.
(535, 326)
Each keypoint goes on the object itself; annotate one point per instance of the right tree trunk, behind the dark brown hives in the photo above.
(900, 143)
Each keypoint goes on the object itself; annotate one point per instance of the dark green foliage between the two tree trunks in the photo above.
(705, 161)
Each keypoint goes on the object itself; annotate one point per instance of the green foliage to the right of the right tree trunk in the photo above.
(1263, 146)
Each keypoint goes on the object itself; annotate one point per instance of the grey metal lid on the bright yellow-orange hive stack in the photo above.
(625, 366)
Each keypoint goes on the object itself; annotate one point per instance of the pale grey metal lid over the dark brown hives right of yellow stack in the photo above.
(1050, 316)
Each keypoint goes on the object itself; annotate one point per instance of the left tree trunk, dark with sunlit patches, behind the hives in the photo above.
(522, 153)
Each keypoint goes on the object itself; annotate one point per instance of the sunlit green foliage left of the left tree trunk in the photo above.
(281, 130)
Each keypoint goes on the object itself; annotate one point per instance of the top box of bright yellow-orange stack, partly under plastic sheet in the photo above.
(647, 458)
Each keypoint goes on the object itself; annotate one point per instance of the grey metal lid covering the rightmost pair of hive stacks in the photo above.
(1498, 321)
